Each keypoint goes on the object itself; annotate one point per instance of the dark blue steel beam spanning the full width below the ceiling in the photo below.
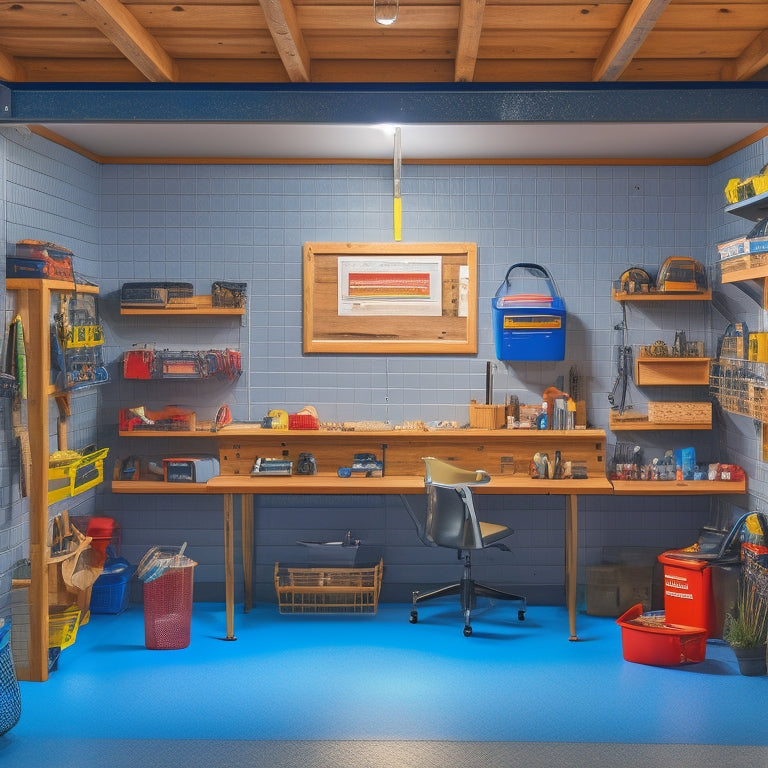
(384, 103)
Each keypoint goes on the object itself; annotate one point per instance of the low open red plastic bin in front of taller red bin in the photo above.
(660, 644)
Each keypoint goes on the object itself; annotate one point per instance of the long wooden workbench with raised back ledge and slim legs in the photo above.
(402, 450)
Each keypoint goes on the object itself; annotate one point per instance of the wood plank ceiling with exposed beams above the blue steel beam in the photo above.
(337, 41)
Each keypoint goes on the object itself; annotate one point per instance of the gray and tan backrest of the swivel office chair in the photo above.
(450, 517)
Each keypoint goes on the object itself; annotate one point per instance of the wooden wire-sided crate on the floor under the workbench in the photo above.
(328, 590)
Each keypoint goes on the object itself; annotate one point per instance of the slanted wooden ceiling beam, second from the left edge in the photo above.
(131, 39)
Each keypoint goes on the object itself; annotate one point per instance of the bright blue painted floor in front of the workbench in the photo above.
(381, 678)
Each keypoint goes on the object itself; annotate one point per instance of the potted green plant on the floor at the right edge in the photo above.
(745, 629)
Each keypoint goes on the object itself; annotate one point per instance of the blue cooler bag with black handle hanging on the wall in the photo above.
(529, 326)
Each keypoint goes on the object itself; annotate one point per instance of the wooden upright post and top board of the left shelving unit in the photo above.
(33, 300)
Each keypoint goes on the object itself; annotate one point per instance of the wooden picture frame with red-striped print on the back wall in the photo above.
(390, 298)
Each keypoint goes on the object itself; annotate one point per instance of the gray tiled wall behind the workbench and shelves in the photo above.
(586, 224)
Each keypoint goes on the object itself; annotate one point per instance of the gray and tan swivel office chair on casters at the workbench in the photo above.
(451, 522)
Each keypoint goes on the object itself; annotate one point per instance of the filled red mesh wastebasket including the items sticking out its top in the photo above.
(168, 577)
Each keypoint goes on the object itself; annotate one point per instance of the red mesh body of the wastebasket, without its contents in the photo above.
(168, 609)
